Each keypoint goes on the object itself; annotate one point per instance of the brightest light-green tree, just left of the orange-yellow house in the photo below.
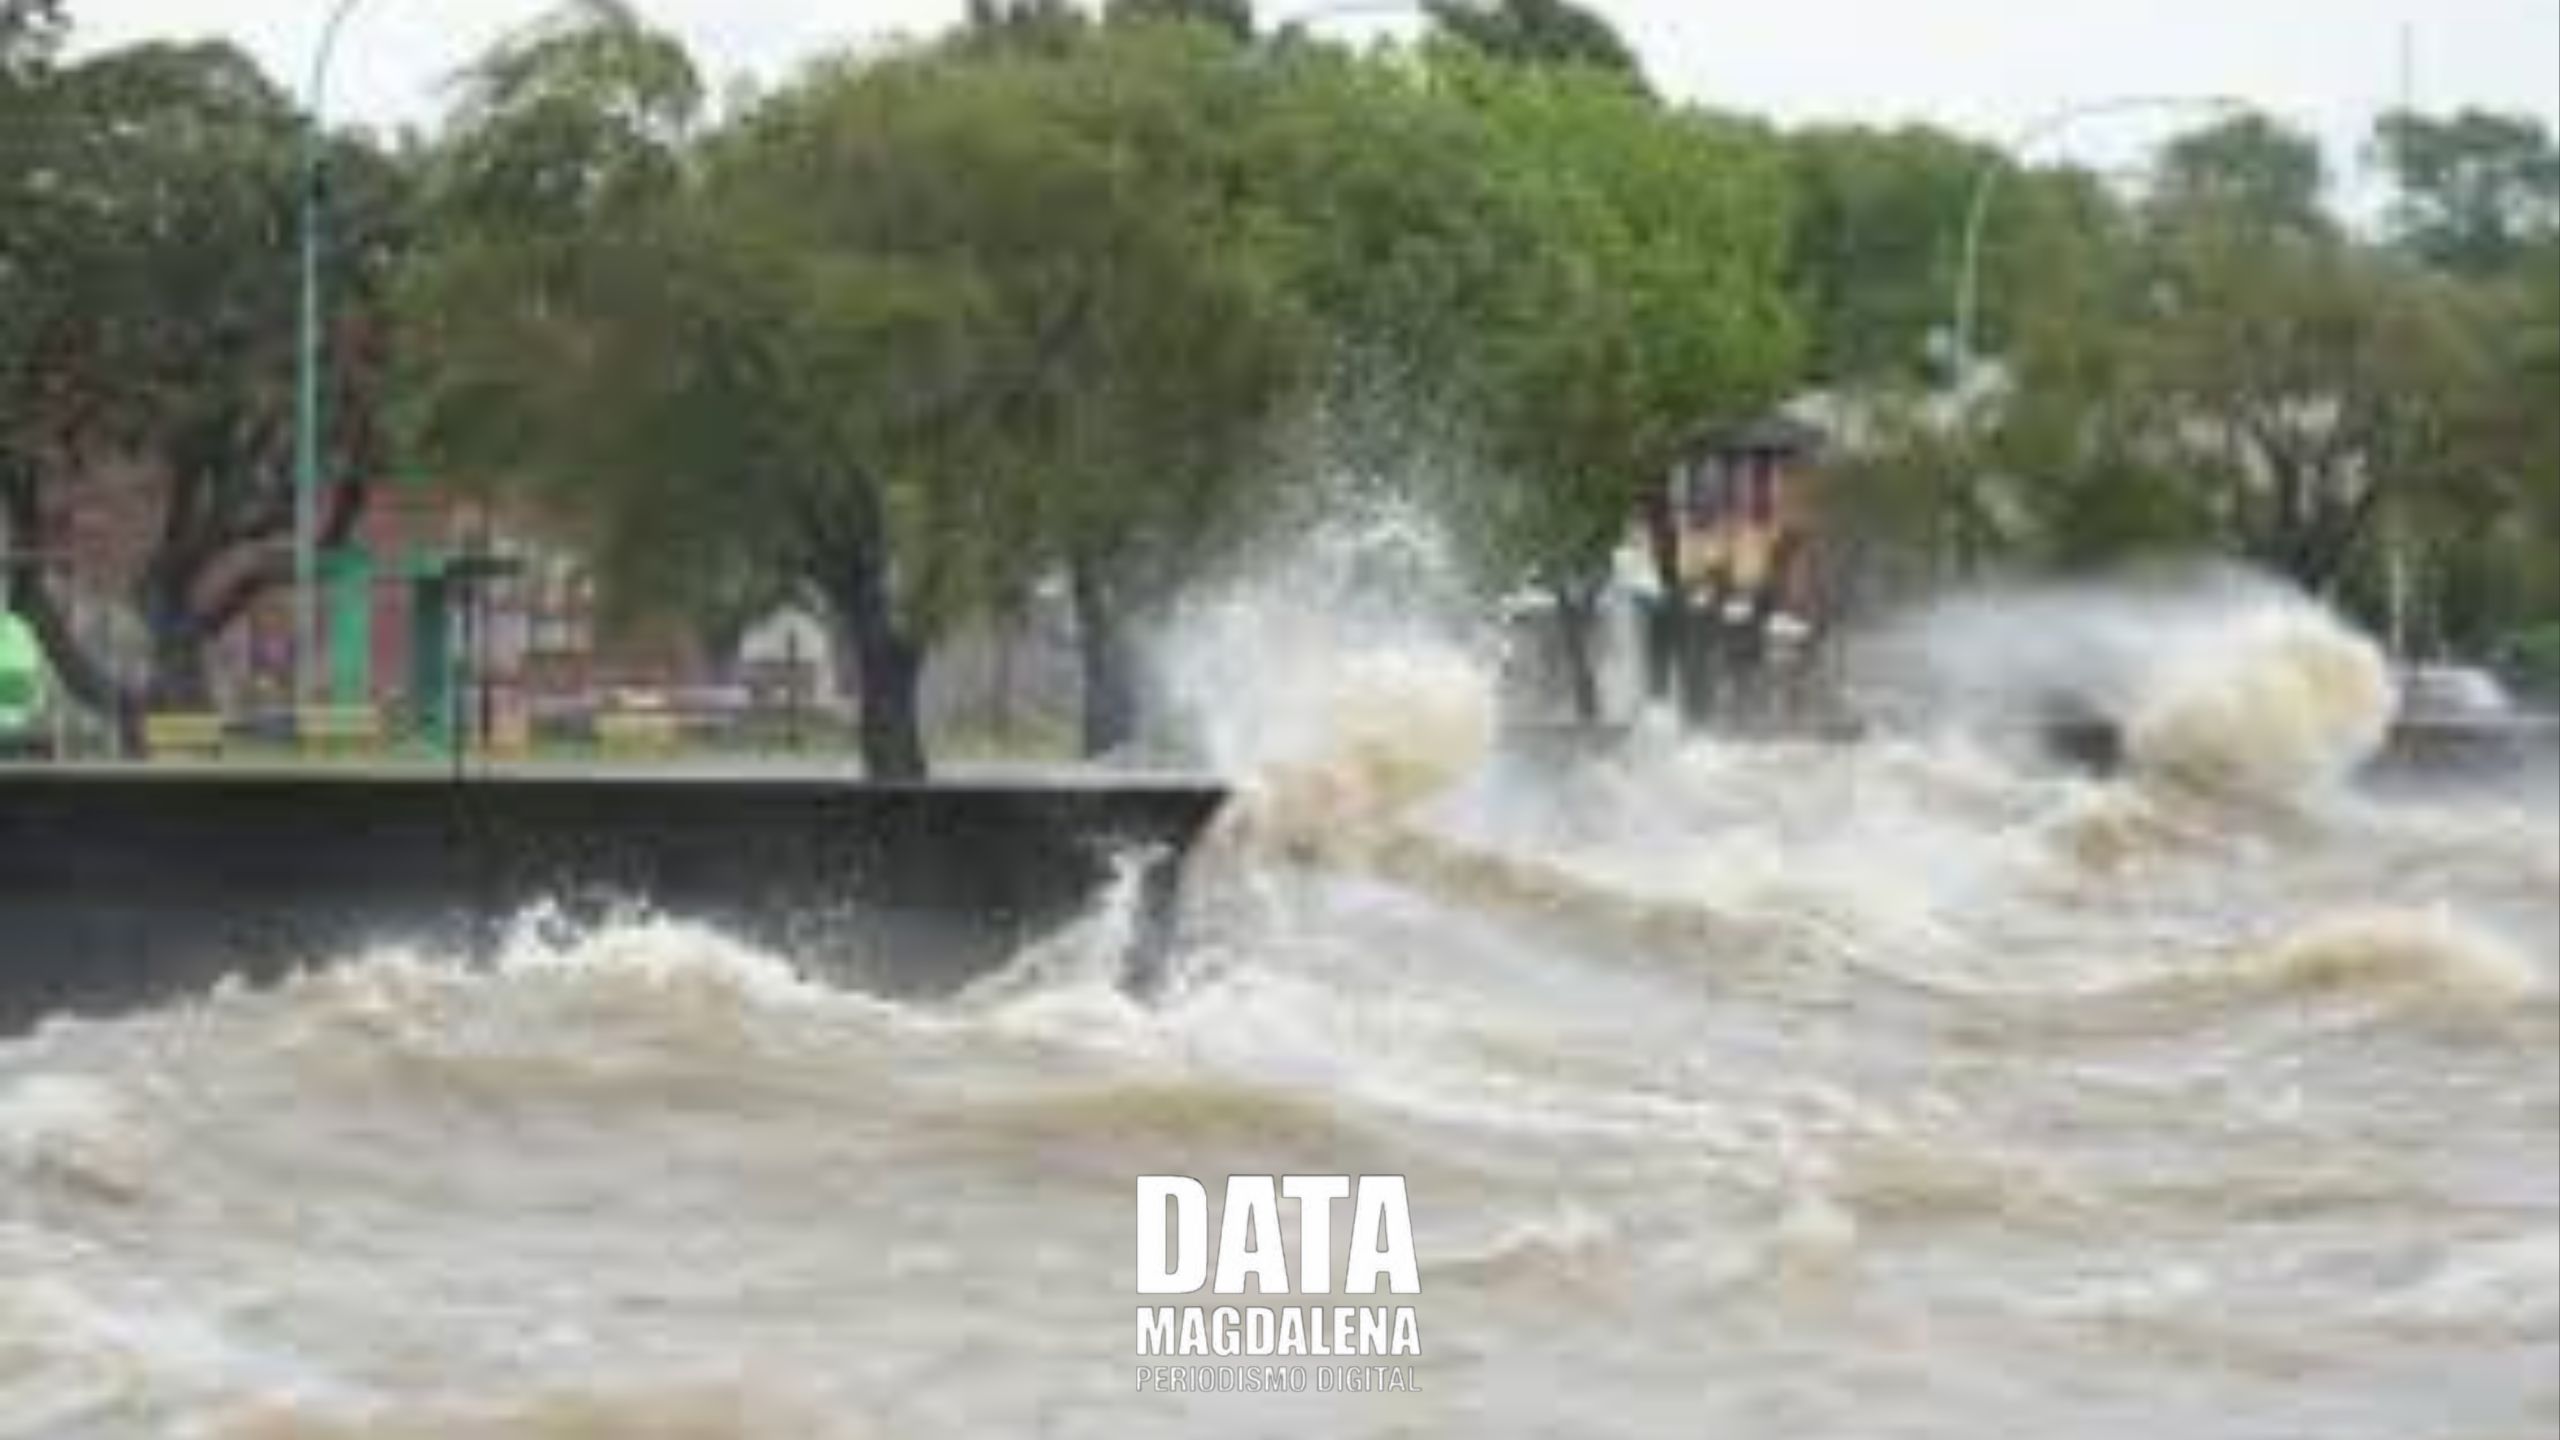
(1655, 306)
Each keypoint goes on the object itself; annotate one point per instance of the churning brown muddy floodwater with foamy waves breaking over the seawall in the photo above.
(1742, 1090)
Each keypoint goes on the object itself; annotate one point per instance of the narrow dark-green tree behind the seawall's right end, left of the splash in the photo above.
(1151, 457)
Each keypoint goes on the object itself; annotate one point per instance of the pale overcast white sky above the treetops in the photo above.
(1975, 65)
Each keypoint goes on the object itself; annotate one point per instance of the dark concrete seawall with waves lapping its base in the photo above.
(127, 888)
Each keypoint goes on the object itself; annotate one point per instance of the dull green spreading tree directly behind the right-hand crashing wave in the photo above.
(2249, 375)
